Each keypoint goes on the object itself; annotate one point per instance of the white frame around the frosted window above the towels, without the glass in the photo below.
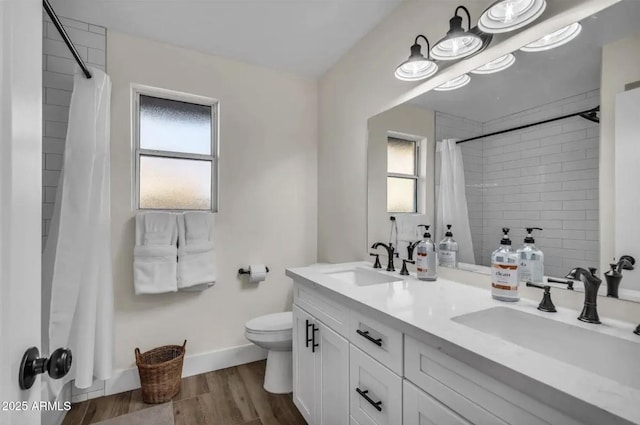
(141, 90)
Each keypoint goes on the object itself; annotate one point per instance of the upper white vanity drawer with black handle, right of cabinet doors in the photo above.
(380, 341)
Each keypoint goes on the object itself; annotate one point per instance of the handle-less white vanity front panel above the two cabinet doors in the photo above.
(330, 312)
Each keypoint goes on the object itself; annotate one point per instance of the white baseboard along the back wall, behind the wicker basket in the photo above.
(128, 379)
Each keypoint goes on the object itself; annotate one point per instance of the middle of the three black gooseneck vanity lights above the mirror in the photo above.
(458, 43)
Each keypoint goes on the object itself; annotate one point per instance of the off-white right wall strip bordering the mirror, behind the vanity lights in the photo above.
(361, 85)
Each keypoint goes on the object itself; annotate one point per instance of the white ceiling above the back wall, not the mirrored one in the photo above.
(304, 37)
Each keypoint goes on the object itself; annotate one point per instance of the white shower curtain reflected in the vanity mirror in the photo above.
(451, 203)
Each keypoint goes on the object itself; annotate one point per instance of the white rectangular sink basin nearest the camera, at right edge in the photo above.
(602, 354)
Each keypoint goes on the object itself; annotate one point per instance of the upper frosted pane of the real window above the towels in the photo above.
(171, 125)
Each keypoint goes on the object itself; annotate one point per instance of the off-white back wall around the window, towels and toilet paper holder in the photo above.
(267, 194)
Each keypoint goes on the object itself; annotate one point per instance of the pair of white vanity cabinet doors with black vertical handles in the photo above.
(320, 371)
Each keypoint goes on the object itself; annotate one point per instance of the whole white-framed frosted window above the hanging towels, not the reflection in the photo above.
(175, 150)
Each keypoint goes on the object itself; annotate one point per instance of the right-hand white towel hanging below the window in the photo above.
(196, 254)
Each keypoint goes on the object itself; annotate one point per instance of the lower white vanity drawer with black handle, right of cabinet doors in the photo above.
(375, 392)
